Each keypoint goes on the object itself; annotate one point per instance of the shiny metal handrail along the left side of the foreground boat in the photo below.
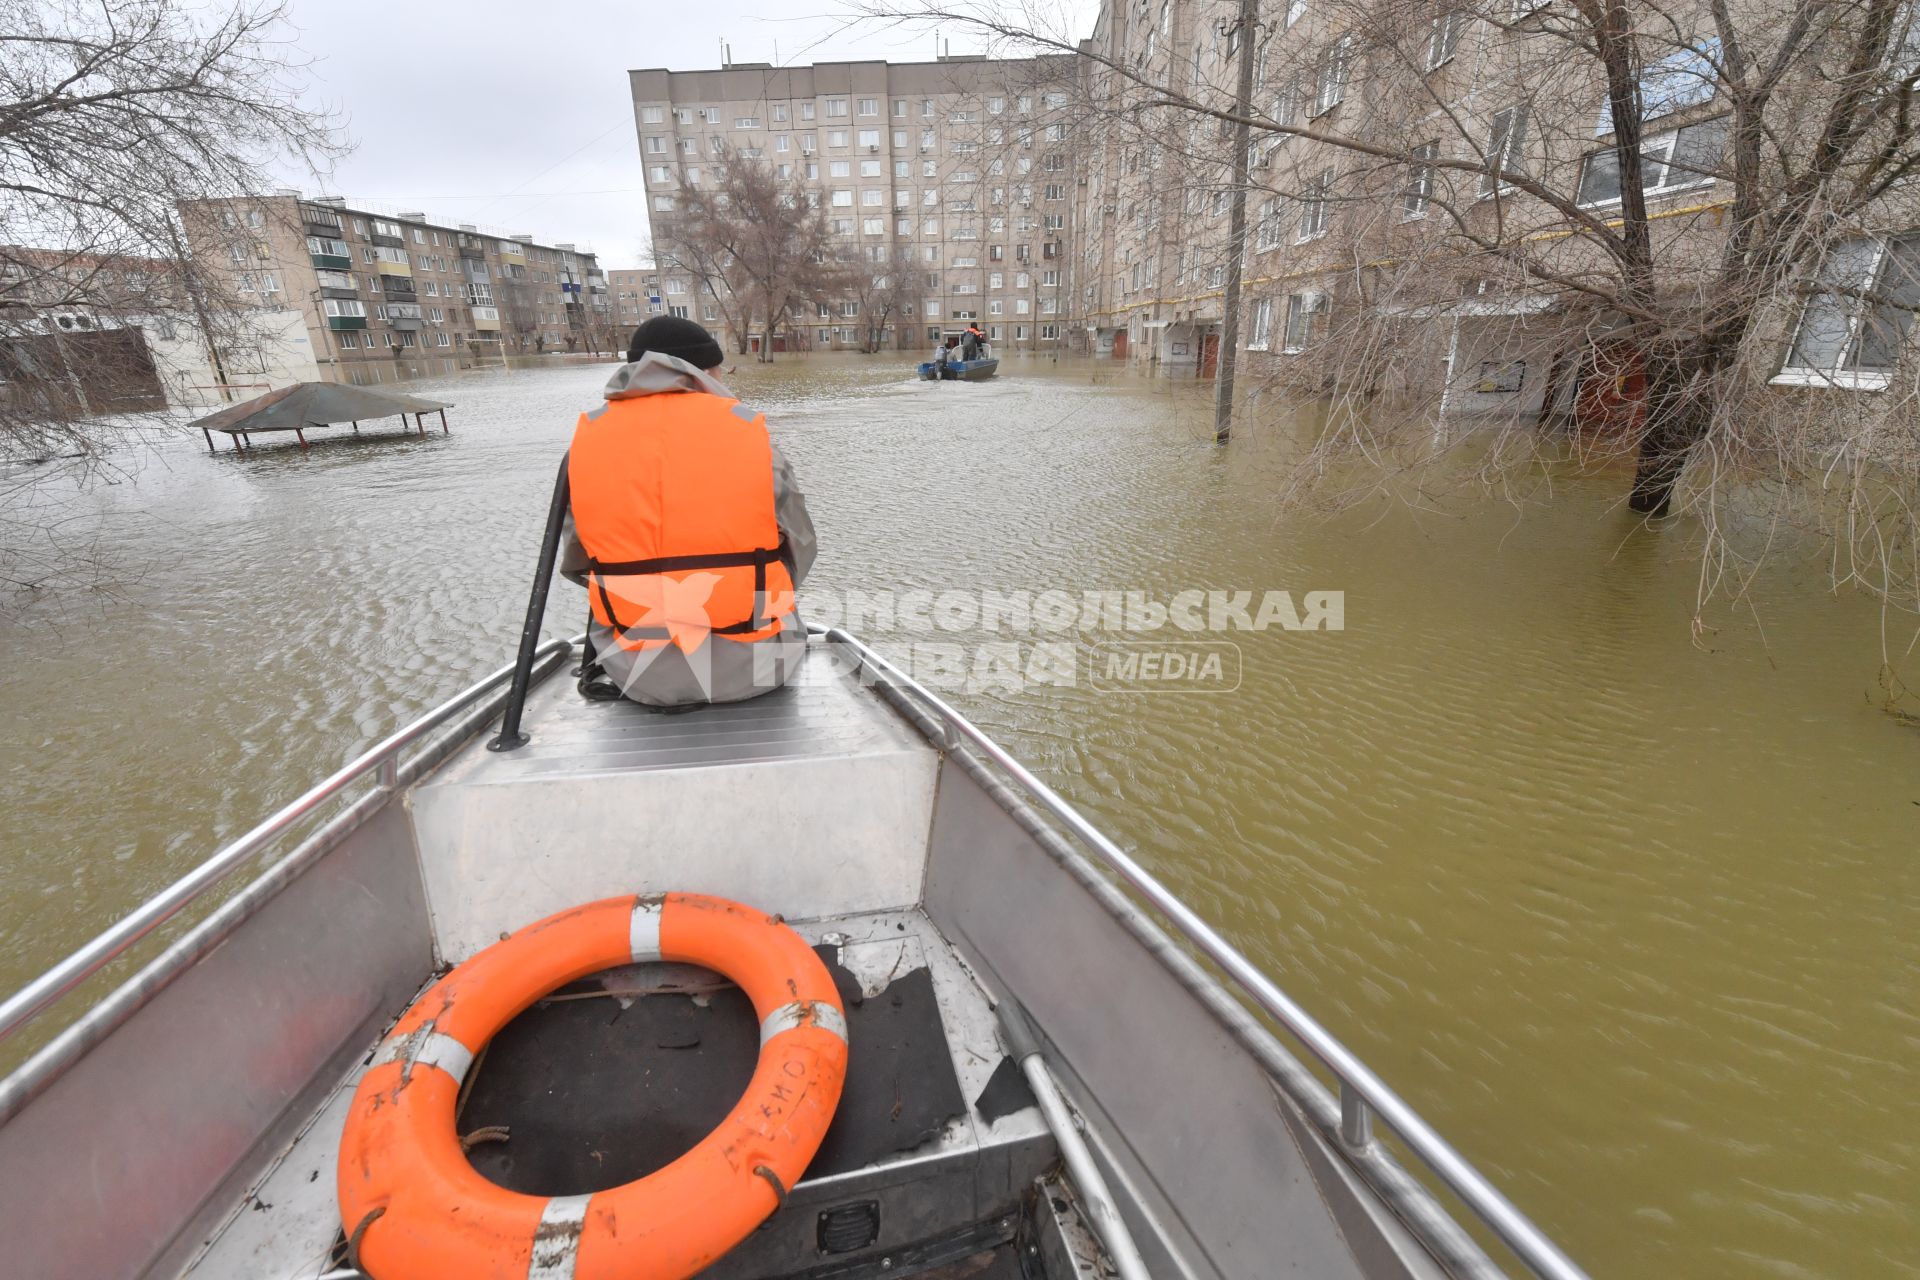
(36, 997)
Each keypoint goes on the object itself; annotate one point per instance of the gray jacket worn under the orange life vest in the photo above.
(717, 671)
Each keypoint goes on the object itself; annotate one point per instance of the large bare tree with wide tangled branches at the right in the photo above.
(1673, 206)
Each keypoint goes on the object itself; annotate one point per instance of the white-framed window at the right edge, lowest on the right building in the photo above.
(1852, 333)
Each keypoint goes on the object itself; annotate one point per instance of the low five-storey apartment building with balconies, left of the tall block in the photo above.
(381, 287)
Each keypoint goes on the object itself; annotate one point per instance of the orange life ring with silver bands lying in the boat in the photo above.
(420, 1212)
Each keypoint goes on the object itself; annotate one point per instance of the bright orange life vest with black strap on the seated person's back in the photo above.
(673, 500)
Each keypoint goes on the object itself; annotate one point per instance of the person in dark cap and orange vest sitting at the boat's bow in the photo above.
(686, 529)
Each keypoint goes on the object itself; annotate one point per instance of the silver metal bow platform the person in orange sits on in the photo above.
(809, 801)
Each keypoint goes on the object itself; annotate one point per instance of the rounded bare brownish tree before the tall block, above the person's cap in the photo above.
(763, 241)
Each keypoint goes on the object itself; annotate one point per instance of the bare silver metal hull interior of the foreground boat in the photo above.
(187, 1124)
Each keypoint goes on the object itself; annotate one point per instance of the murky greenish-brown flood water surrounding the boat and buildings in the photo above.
(1633, 920)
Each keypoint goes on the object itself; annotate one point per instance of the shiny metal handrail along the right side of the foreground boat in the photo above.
(1360, 1087)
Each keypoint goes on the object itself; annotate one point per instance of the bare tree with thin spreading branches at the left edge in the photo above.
(110, 118)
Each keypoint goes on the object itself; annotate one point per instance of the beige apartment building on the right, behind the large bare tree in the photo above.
(1458, 252)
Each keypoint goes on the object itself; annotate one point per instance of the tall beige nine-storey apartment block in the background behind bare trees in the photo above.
(961, 172)
